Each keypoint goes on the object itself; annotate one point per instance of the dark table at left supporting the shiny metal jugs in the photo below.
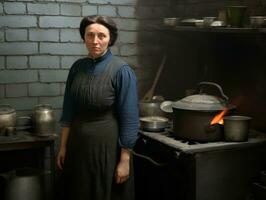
(16, 152)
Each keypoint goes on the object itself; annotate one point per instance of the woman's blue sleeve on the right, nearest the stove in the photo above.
(127, 106)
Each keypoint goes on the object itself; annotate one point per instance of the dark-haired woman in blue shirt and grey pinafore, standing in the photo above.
(100, 119)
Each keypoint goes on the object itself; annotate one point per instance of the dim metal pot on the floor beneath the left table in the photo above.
(23, 184)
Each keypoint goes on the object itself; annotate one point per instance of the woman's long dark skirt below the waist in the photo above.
(92, 156)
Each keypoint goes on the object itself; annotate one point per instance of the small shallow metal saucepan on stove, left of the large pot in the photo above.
(153, 123)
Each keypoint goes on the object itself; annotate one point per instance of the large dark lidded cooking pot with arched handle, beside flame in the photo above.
(193, 114)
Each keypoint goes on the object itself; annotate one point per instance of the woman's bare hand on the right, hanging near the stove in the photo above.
(122, 171)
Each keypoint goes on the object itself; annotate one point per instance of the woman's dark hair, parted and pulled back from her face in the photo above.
(99, 19)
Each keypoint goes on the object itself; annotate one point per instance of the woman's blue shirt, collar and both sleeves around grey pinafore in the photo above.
(126, 102)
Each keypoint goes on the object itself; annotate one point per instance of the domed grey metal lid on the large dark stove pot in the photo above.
(201, 102)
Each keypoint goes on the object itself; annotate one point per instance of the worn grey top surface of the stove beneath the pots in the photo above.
(167, 138)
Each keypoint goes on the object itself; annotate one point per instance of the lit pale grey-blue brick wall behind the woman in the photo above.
(40, 40)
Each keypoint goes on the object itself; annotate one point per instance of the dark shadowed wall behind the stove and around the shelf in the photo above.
(236, 61)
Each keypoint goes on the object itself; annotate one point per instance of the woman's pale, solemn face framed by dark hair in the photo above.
(97, 38)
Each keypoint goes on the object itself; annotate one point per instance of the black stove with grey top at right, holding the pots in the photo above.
(198, 171)
